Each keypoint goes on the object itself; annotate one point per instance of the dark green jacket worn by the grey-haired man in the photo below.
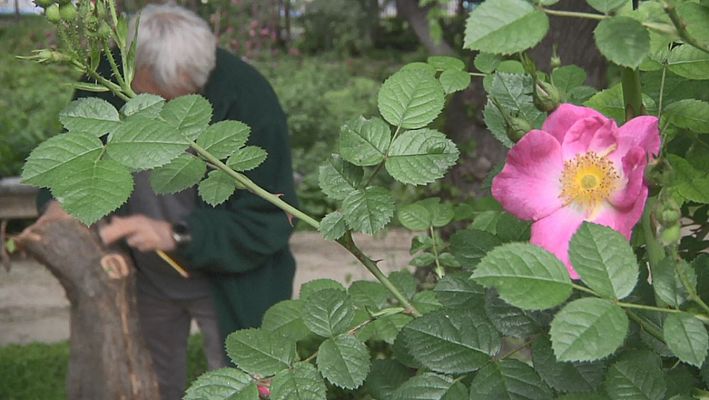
(242, 244)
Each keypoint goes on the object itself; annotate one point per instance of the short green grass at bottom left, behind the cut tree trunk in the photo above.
(37, 371)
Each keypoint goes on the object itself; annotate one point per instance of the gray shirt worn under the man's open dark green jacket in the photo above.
(155, 276)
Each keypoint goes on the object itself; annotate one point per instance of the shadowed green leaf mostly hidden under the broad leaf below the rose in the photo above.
(509, 320)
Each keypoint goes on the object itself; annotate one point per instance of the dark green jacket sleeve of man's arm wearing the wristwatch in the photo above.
(246, 231)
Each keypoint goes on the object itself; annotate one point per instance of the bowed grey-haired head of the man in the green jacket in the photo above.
(176, 51)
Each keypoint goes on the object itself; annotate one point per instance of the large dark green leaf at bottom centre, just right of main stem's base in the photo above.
(448, 342)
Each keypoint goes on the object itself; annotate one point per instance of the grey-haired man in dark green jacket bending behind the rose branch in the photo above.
(237, 254)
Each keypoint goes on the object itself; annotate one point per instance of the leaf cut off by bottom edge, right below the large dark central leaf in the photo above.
(508, 379)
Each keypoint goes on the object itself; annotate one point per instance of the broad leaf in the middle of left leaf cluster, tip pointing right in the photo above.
(141, 143)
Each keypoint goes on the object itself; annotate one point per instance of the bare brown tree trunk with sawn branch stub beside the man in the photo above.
(108, 358)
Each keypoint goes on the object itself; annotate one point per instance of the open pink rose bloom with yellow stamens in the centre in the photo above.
(579, 167)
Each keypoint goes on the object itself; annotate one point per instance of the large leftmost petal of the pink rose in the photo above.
(528, 186)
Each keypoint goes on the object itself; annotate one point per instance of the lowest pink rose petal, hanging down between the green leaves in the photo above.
(554, 232)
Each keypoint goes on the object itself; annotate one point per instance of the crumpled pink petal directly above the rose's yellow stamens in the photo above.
(589, 134)
